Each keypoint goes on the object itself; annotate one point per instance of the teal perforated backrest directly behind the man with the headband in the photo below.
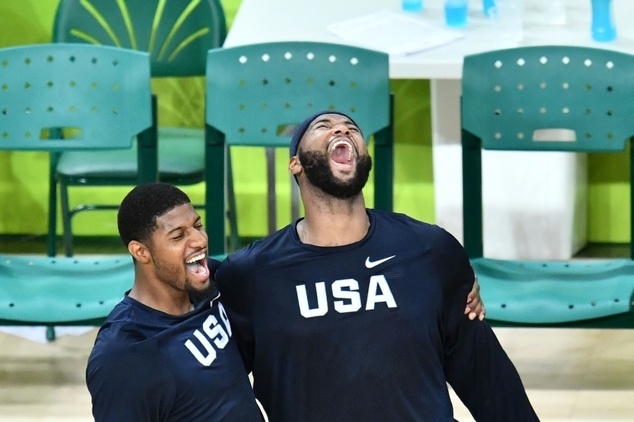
(256, 94)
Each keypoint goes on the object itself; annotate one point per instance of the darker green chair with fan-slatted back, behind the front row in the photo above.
(177, 34)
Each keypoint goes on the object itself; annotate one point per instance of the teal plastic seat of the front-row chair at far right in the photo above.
(551, 292)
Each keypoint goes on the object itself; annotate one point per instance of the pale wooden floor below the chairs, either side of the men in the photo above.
(570, 375)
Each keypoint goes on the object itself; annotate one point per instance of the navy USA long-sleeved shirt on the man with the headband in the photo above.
(371, 331)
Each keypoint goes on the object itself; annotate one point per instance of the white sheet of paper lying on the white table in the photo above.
(392, 33)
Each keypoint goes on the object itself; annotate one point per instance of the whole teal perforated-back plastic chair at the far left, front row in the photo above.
(72, 97)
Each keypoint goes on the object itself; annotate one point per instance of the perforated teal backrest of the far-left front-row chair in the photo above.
(55, 97)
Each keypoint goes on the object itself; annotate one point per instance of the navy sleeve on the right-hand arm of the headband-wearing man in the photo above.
(475, 364)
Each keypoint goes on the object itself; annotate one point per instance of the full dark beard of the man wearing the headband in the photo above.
(317, 169)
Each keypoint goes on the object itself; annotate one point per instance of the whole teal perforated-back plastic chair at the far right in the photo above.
(550, 98)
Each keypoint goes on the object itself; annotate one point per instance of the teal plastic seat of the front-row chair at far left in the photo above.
(82, 290)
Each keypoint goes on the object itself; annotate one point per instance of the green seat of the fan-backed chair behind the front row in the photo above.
(181, 152)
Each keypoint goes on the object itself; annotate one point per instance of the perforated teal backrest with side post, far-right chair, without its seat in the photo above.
(544, 98)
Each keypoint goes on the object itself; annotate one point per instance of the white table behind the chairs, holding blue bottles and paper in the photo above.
(283, 20)
